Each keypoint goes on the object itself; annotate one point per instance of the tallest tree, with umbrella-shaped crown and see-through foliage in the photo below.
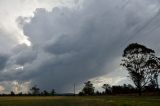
(135, 57)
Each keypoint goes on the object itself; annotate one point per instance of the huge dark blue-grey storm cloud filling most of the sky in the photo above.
(72, 45)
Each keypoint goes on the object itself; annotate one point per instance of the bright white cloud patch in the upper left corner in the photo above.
(11, 10)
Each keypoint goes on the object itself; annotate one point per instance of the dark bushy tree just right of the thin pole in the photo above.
(88, 88)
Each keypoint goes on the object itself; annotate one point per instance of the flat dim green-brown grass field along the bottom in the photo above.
(80, 101)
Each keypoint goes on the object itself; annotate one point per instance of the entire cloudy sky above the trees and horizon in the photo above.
(59, 43)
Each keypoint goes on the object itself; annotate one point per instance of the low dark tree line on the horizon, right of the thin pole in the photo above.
(89, 89)
